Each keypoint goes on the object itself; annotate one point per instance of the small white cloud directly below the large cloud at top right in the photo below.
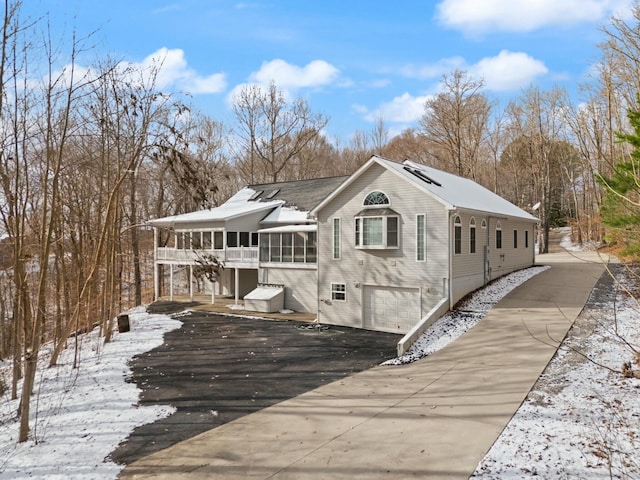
(508, 71)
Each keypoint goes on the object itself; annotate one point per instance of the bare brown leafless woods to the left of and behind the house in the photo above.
(89, 153)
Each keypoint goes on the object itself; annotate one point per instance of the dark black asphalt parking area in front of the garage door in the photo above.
(215, 369)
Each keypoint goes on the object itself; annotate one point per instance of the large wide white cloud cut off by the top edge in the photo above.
(524, 15)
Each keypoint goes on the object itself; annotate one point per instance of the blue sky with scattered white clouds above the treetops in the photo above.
(353, 60)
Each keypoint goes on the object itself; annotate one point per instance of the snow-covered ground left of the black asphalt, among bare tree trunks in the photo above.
(80, 415)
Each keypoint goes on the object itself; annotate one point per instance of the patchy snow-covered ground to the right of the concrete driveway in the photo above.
(581, 418)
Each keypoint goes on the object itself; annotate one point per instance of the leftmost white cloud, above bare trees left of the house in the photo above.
(175, 73)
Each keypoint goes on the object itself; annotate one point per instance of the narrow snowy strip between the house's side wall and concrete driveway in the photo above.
(468, 313)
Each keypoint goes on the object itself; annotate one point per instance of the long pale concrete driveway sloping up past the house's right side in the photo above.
(435, 418)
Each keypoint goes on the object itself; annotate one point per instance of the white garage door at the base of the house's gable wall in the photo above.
(389, 309)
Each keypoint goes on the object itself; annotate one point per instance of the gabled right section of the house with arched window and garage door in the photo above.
(401, 243)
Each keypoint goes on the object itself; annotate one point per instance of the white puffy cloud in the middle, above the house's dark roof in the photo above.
(286, 75)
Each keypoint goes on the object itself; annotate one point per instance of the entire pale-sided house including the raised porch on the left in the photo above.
(389, 248)
